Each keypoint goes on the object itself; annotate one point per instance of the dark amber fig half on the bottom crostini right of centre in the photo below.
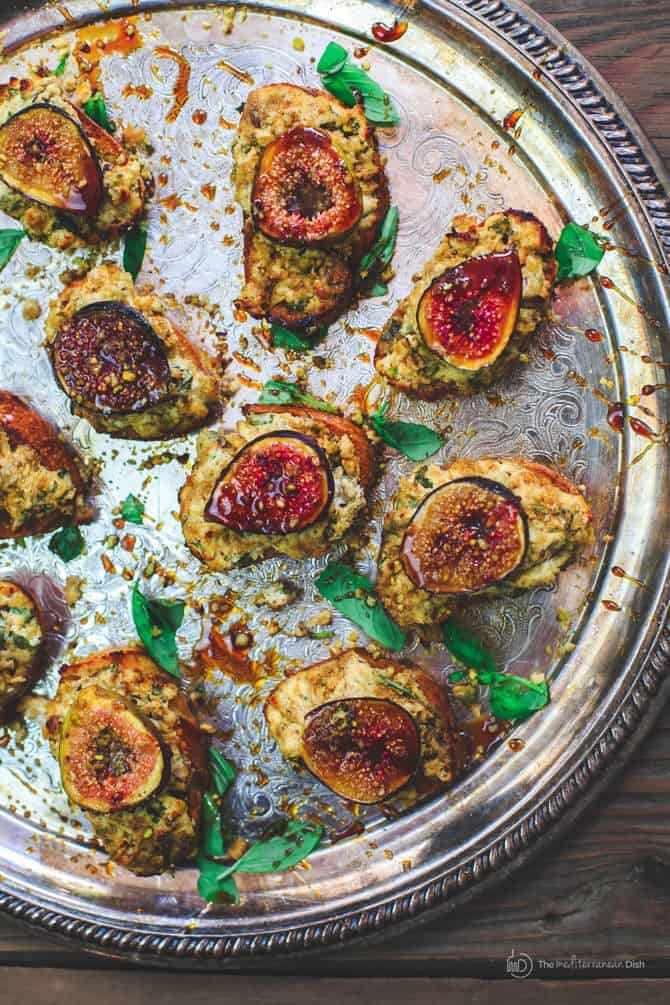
(364, 749)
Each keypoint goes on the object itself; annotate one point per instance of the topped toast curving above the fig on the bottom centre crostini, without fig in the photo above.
(355, 674)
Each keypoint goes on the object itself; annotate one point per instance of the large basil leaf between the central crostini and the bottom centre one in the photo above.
(355, 597)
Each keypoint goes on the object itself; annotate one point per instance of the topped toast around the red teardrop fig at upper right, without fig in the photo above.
(402, 354)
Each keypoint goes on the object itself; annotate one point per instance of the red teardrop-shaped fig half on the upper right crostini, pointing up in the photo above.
(469, 315)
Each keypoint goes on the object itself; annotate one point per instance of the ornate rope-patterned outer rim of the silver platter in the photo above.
(524, 31)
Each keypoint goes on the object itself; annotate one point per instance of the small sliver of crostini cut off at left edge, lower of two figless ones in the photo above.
(22, 644)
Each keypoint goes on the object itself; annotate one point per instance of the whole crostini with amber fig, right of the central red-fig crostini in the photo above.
(478, 528)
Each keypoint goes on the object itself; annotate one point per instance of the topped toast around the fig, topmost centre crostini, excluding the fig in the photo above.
(306, 287)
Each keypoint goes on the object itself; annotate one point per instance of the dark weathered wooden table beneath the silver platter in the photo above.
(602, 895)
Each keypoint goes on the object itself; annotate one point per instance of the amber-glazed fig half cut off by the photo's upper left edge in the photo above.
(46, 156)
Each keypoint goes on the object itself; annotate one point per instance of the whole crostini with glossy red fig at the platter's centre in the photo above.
(290, 481)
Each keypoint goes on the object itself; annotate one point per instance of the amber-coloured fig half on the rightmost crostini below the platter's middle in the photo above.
(466, 536)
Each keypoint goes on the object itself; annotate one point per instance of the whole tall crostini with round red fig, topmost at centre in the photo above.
(313, 188)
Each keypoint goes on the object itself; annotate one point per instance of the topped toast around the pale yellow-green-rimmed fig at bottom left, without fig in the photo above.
(163, 832)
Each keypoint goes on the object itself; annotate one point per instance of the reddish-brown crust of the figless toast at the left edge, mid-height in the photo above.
(24, 426)
